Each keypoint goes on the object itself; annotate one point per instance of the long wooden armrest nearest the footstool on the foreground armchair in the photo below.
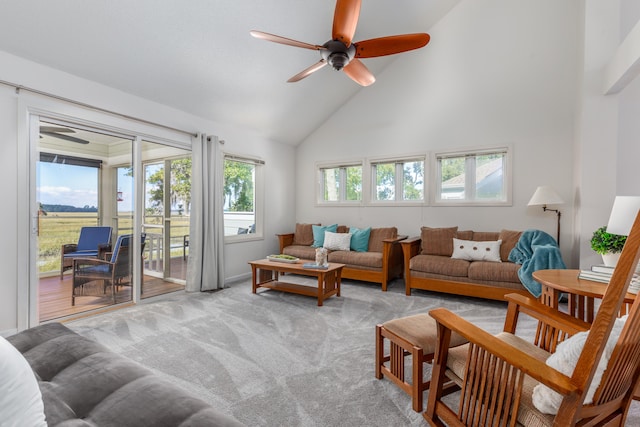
(515, 357)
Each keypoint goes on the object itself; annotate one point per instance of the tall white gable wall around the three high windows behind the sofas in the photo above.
(495, 72)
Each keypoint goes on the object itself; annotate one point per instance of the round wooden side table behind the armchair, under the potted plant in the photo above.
(581, 292)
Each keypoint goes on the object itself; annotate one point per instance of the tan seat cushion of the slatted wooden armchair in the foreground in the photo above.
(527, 415)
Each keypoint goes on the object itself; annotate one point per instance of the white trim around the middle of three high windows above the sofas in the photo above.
(371, 196)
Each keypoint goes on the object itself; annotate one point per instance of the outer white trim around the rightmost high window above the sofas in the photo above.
(507, 173)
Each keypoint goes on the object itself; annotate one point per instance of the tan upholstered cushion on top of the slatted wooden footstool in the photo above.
(420, 330)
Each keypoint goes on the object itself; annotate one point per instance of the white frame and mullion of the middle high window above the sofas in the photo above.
(398, 162)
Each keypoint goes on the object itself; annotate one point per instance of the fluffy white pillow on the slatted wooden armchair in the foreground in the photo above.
(564, 360)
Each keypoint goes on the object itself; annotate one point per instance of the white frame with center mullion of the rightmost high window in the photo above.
(470, 186)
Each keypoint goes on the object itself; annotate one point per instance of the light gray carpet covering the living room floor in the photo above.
(277, 359)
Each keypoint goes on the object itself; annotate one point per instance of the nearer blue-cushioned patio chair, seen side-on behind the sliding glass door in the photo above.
(116, 271)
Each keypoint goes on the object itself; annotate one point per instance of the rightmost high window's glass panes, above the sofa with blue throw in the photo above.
(479, 177)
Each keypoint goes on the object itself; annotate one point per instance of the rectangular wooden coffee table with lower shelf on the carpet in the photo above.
(266, 273)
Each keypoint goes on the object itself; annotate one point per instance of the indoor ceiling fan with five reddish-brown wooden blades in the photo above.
(341, 53)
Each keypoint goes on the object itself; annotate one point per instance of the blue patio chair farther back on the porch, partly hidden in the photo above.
(92, 243)
